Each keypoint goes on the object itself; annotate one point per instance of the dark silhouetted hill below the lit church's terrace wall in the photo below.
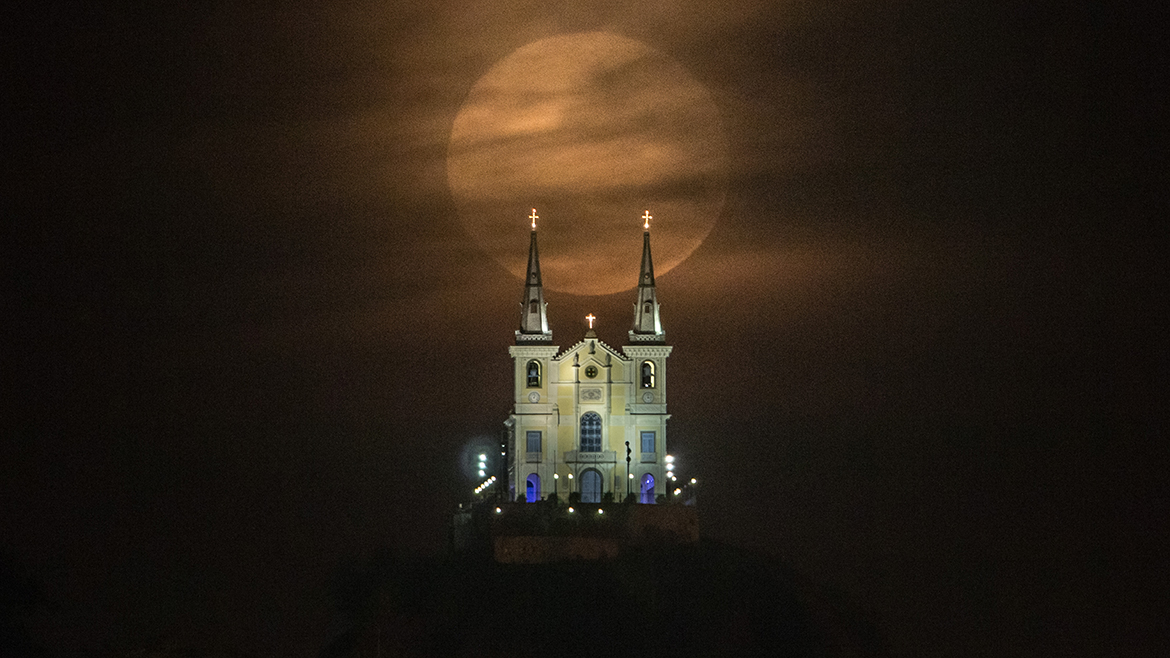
(699, 600)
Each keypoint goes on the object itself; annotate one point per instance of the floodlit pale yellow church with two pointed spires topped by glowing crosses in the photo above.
(590, 420)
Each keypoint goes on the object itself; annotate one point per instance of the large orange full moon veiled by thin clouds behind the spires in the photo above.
(591, 131)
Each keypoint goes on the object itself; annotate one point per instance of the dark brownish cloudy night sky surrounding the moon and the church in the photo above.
(249, 333)
